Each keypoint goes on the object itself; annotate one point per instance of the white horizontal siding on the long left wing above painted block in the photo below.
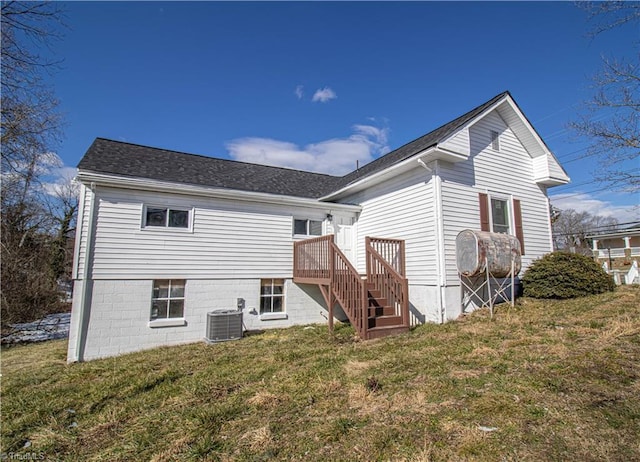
(229, 239)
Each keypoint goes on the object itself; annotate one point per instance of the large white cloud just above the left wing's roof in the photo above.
(336, 156)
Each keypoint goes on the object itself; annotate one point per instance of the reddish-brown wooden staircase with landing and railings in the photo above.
(377, 304)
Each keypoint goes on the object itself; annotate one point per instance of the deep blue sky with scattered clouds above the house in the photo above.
(318, 86)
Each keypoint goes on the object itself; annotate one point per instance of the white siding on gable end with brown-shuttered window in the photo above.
(507, 173)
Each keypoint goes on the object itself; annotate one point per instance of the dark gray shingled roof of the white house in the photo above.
(132, 160)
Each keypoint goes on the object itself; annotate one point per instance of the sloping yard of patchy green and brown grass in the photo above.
(546, 380)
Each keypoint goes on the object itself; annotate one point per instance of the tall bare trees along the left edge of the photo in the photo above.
(30, 131)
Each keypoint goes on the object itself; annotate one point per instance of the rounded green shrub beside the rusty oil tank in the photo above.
(565, 275)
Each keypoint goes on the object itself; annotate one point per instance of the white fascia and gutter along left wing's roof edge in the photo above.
(146, 184)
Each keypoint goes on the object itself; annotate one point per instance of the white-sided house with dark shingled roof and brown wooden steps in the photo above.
(166, 237)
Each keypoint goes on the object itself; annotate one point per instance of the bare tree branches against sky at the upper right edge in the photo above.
(610, 120)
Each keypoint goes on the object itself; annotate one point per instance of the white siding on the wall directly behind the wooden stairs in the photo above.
(401, 208)
